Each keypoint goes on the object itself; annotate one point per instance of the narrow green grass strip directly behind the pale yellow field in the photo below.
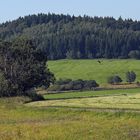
(71, 95)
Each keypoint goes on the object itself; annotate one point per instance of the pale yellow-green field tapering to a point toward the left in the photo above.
(103, 102)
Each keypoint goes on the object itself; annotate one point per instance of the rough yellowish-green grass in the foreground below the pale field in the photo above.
(20, 122)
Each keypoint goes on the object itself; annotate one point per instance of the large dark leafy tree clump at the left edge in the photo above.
(22, 67)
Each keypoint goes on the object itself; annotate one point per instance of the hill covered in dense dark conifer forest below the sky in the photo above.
(65, 36)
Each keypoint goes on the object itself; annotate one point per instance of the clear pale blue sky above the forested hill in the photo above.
(12, 9)
